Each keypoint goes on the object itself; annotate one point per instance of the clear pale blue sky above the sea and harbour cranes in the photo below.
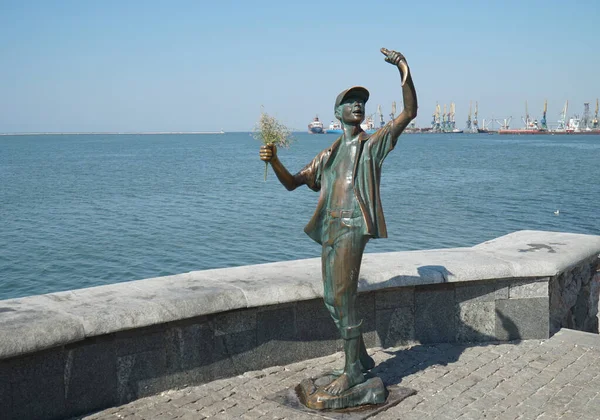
(209, 65)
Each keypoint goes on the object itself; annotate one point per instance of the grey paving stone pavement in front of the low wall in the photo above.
(558, 378)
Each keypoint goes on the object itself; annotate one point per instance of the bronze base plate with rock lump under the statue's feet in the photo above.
(358, 403)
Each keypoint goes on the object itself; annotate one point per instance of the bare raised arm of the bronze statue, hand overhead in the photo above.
(409, 95)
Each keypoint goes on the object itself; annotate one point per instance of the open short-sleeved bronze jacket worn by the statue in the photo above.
(366, 175)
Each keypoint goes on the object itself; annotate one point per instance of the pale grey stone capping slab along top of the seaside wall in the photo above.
(39, 322)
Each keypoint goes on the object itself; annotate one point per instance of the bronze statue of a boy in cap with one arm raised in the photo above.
(349, 210)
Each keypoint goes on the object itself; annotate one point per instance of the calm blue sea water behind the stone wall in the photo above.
(85, 210)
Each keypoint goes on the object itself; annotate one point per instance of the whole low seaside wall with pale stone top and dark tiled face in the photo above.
(93, 348)
